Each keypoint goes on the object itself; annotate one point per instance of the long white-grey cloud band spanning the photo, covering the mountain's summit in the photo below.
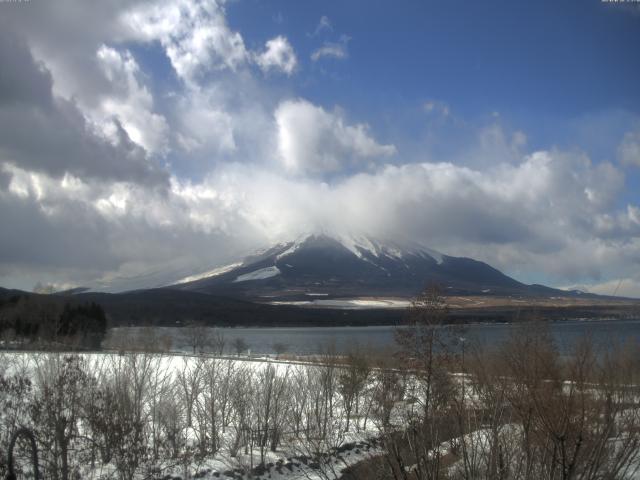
(535, 215)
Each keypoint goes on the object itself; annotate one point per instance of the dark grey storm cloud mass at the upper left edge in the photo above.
(47, 134)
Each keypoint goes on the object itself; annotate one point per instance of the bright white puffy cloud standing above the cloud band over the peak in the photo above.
(310, 139)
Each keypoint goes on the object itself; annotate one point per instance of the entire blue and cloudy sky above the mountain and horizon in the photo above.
(180, 134)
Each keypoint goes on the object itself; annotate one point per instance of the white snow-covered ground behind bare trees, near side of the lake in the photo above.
(297, 456)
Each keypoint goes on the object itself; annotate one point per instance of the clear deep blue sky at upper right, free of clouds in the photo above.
(535, 62)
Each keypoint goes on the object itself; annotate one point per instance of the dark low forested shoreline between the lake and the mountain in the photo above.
(81, 319)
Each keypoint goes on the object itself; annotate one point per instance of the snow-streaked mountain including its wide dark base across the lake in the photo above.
(321, 280)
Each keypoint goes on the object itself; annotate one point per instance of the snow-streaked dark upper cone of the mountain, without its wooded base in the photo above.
(341, 266)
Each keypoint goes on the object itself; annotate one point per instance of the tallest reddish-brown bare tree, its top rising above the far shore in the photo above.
(427, 352)
